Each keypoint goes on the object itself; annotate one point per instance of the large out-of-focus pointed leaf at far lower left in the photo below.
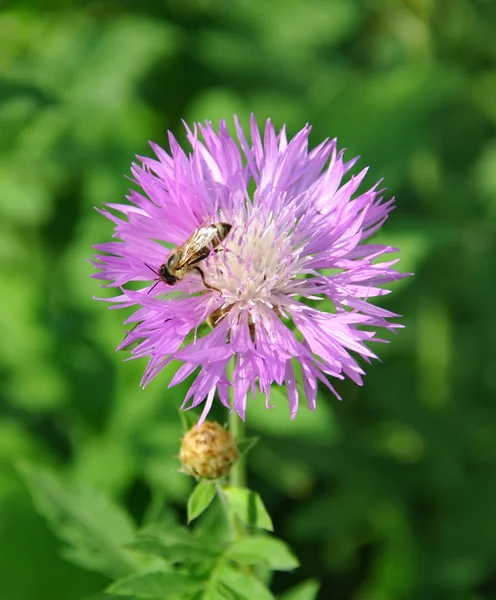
(94, 528)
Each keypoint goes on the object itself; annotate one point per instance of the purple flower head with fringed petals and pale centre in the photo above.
(290, 283)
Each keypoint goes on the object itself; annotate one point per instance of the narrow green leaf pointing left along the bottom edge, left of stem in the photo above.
(157, 585)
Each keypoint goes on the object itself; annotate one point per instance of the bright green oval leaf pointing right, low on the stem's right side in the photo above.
(269, 551)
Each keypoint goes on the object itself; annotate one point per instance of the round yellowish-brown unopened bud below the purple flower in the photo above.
(208, 451)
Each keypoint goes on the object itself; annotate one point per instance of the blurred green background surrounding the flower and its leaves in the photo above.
(388, 495)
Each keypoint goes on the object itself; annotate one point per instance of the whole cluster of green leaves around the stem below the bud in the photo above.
(164, 559)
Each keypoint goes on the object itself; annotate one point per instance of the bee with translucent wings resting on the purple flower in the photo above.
(187, 257)
